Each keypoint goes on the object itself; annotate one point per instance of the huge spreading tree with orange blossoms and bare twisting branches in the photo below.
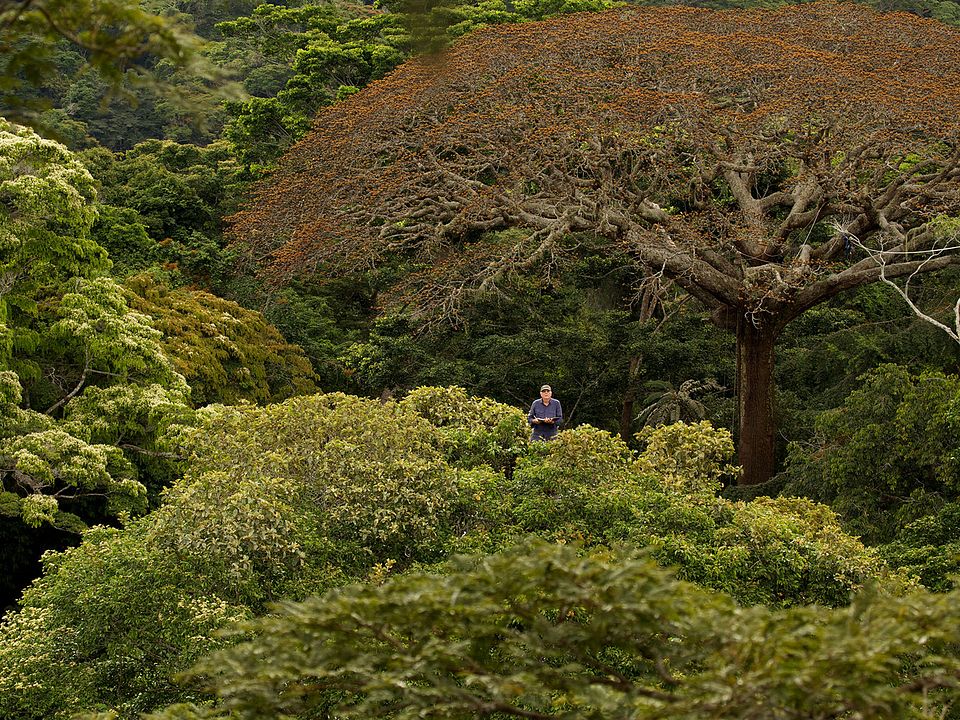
(737, 152)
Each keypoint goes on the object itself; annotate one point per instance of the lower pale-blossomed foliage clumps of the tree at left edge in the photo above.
(50, 463)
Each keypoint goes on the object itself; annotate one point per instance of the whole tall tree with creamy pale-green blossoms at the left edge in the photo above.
(70, 338)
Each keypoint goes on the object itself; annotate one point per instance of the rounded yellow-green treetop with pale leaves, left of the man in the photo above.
(364, 481)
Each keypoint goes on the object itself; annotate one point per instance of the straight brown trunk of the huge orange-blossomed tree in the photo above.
(755, 401)
